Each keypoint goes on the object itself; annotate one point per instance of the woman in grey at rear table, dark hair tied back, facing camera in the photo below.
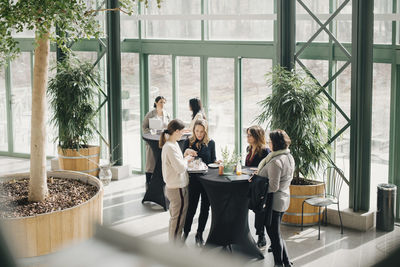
(163, 115)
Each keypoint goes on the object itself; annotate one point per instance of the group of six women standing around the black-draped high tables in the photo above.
(184, 191)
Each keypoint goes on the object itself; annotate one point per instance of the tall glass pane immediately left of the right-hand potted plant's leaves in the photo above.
(254, 89)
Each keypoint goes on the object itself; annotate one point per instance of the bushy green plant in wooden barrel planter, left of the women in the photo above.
(72, 94)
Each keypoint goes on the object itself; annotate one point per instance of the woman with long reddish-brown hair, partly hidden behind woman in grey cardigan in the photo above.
(256, 151)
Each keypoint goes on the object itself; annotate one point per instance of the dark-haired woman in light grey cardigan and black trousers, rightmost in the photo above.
(278, 166)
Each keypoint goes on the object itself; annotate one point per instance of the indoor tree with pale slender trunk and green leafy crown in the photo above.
(76, 20)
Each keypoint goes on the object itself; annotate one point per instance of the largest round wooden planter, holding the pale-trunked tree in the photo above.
(44, 233)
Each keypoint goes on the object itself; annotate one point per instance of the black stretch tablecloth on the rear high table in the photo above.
(155, 189)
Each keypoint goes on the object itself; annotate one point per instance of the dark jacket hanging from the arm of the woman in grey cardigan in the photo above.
(259, 197)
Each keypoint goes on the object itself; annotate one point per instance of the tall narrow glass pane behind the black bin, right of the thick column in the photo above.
(380, 127)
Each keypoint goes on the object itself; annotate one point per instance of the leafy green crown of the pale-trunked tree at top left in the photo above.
(76, 18)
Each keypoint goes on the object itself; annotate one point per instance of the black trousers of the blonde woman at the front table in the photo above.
(195, 191)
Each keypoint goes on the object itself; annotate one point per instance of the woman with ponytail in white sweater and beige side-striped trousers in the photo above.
(176, 179)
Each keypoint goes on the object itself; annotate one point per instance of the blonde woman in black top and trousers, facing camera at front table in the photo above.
(198, 145)
